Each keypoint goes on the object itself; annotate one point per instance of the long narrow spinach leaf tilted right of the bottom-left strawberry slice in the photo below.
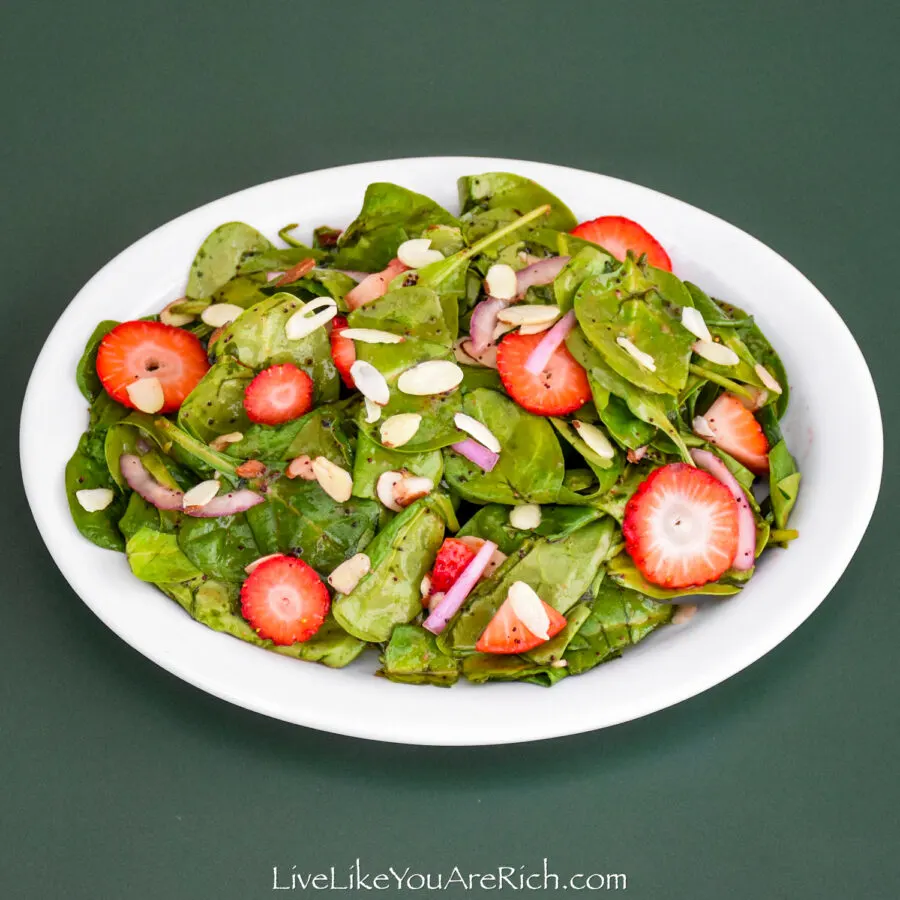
(401, 554)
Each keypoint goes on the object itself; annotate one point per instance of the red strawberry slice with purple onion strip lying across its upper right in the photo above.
(561, 388)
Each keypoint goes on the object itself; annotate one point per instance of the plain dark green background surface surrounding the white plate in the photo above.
(119, 781)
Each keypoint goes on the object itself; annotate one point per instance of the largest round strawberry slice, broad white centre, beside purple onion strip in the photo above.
(681, 527)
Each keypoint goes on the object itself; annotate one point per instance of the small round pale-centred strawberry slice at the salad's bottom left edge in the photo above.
(284, 600)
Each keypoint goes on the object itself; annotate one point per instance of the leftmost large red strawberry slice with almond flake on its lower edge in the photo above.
(135, 350)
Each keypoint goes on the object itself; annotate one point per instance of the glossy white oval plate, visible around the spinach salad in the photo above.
(827, 373)
